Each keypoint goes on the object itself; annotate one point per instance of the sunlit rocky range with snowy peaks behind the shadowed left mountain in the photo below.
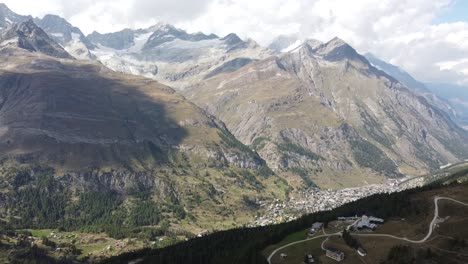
(316, 110)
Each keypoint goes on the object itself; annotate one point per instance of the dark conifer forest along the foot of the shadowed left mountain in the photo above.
(43, 202)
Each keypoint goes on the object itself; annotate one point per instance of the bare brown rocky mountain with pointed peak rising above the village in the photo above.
(325, 113)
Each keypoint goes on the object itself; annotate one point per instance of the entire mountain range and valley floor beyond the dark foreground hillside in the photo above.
(120, 141)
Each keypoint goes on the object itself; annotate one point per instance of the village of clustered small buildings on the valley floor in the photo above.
(316, 200)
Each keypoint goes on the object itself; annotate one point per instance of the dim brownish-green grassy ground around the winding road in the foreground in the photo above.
(414, 227)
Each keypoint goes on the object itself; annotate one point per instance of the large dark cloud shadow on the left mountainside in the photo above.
(75, 117)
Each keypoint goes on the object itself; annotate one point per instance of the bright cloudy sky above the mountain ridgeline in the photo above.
(428, 38)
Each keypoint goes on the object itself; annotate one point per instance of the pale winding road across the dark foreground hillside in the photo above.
(434, 222)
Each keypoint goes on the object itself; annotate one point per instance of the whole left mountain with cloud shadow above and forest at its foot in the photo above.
(73, 129)
